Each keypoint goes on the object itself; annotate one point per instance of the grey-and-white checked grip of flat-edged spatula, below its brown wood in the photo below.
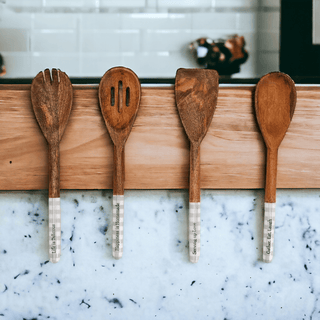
(194, 231)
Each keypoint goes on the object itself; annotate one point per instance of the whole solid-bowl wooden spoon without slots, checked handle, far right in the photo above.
(275, 101)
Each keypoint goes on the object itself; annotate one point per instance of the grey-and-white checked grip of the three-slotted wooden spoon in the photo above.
(117, 226)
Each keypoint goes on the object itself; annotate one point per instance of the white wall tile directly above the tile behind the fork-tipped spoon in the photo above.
(54, 41)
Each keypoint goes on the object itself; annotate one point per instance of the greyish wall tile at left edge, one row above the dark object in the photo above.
(14, 40)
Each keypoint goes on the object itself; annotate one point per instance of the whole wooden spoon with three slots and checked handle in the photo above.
(119, 96)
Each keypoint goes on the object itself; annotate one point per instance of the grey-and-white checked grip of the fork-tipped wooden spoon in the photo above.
(54, 229)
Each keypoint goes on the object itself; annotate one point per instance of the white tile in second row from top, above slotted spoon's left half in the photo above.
(101, 21)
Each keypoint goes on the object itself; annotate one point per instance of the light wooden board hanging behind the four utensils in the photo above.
(157, 151)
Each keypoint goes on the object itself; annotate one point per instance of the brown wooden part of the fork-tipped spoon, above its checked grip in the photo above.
(51, 97)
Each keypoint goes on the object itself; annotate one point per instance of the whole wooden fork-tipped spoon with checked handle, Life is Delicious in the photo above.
(51, 97)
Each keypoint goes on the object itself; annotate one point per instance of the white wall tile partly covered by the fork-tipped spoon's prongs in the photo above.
(68, 63)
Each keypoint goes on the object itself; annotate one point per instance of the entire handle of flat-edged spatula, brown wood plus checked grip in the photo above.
(194, 203)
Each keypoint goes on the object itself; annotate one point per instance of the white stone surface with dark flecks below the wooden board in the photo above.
(154, 279)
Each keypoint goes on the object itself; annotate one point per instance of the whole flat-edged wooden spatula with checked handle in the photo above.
(196, 92)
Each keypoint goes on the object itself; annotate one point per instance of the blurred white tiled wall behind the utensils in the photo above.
(87, 37)
